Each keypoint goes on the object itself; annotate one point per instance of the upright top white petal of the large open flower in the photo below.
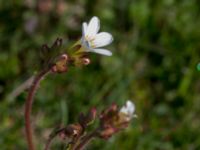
(93, 27)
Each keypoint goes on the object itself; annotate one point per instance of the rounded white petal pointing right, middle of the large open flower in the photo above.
(102, 39)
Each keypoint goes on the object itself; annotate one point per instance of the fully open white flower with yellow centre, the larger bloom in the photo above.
(92, 40)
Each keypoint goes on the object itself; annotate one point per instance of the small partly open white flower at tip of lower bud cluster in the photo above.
(128, 110)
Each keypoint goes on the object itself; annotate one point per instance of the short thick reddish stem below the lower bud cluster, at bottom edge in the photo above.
(85, 141)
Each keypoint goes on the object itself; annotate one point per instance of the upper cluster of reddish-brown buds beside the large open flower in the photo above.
(59, 63)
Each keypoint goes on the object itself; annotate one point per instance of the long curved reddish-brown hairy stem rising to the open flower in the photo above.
(28, 107)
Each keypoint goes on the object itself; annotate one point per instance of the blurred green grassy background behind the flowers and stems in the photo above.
(155, 62)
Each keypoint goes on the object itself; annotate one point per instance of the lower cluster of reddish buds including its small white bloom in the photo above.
(111, 120)
